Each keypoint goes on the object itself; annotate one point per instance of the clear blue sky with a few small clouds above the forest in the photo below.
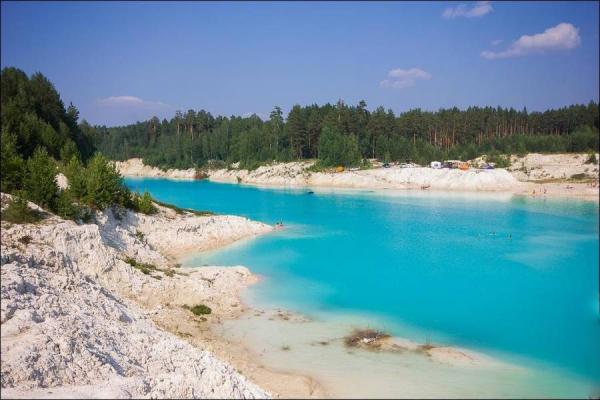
(122, 62)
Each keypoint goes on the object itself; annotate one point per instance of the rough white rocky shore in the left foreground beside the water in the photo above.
(80, 321)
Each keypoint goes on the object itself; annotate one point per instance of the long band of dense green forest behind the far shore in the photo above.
(343, 134)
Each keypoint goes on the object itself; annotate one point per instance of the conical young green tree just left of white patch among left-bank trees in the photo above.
(39, 181)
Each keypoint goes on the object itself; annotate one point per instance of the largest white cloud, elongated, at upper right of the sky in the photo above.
(563, 36)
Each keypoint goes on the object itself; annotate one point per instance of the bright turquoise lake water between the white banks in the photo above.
(511, 275)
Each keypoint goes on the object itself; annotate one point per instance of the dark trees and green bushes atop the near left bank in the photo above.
(40, 138)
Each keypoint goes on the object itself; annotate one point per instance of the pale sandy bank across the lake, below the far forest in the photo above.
(554, 175)
